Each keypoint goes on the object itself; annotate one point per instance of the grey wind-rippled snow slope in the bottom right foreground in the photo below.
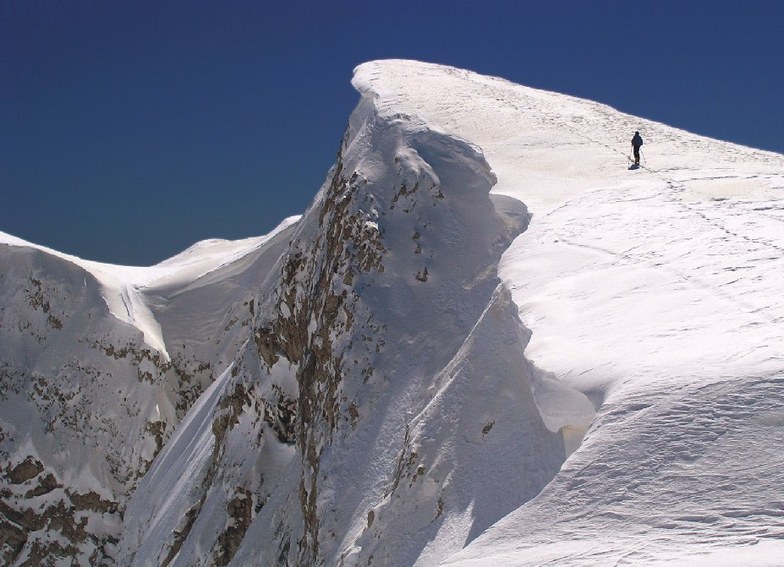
(683, 475)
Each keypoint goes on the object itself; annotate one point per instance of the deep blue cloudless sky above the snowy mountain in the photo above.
(131, 129)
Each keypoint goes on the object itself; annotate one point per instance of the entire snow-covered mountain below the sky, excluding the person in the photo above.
(488, 341)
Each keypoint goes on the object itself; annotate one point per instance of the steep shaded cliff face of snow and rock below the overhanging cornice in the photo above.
(383, 412)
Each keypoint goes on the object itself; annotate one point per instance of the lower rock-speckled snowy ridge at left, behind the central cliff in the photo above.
(95, 373)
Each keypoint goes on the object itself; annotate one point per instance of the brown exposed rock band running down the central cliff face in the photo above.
(317, 308)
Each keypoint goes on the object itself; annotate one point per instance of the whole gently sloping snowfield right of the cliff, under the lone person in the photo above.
(657, 293)
